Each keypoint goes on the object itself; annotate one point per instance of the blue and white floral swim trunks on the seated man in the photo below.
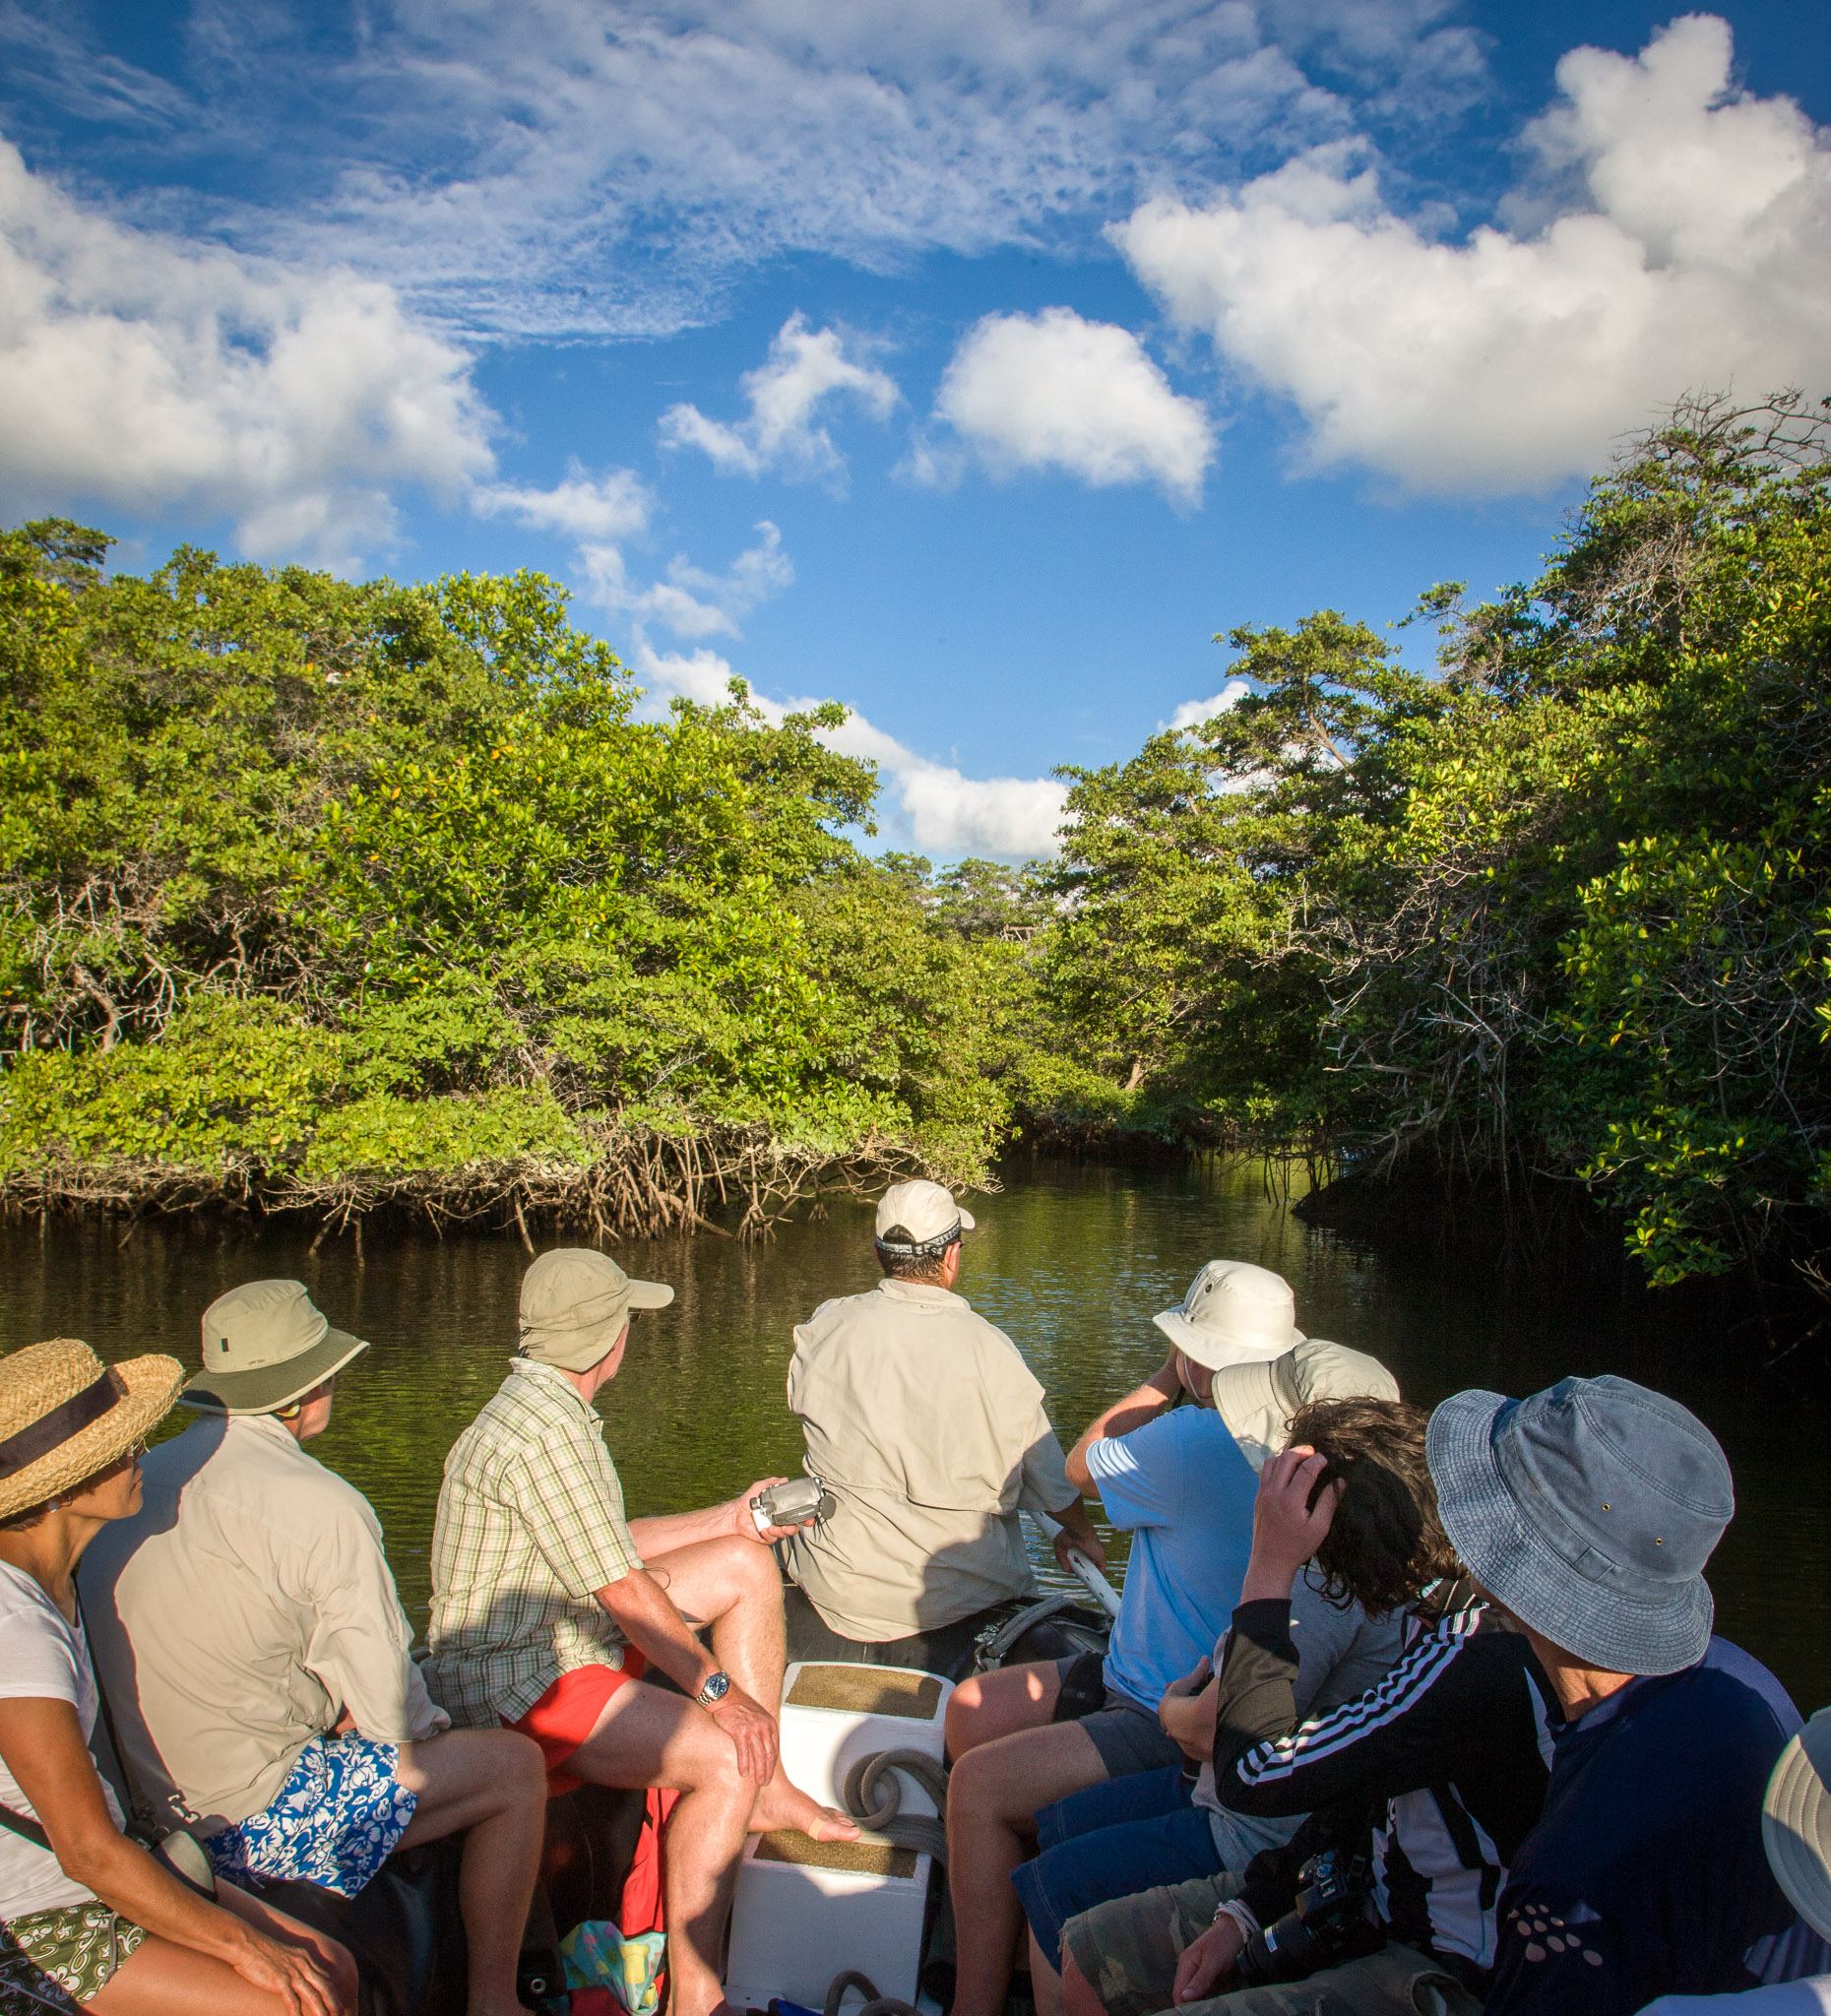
(336, 1819)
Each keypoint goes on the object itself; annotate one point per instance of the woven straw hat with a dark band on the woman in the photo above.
(64, 1416)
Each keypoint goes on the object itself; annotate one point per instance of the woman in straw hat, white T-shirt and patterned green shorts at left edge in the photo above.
(90, 1916)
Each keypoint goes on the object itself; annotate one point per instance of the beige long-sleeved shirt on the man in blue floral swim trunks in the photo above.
(237, 1616)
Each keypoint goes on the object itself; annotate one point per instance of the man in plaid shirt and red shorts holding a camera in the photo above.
(547, 1608)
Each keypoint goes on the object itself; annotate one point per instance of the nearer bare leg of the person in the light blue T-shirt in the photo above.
(993, 1801)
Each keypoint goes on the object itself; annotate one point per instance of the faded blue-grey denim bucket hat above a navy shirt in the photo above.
(1588, 1511)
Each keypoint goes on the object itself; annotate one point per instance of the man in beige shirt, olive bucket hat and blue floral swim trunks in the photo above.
(257, 1656)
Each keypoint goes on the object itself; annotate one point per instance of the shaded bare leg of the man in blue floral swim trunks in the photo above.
(493, 1787)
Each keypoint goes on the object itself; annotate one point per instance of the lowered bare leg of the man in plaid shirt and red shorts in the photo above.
(646, 1737)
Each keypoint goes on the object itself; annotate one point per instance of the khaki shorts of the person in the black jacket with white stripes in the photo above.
(1128, 1950)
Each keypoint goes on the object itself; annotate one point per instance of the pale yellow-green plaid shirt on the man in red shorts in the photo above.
(531, 1525)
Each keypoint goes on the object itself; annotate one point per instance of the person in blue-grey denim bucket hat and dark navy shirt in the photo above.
(1590, 1511)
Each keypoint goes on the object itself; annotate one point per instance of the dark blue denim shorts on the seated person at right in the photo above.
(1112, 1840)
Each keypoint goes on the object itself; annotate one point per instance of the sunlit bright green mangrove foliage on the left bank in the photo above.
(334, 878)
